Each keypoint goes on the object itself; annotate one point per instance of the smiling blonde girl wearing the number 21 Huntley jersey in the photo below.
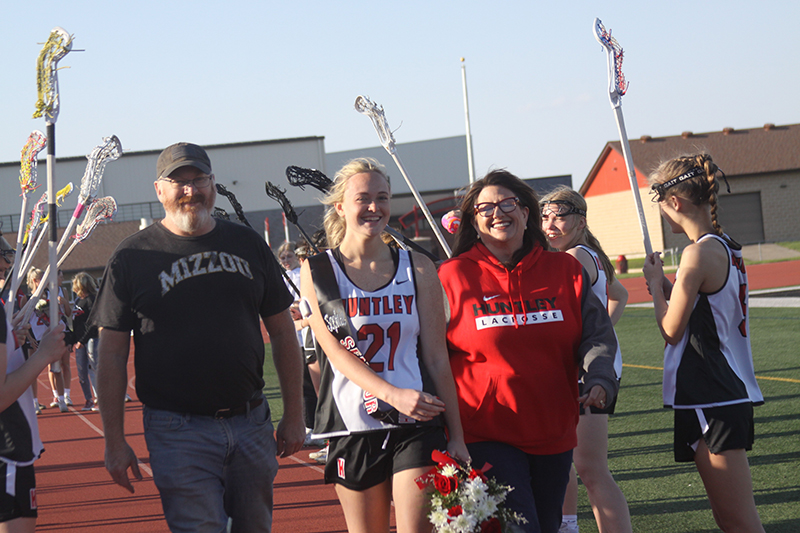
(383, 403)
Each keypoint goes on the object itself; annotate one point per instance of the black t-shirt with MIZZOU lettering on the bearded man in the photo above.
(193, 304)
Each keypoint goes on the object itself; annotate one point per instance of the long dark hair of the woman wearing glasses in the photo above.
(467, 236)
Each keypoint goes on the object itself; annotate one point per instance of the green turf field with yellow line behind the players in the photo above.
(665, 496)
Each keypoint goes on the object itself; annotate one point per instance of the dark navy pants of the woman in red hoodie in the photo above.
(539, 482)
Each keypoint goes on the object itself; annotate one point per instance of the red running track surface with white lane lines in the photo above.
(75, 493)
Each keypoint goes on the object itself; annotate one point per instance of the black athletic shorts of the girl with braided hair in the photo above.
(725, 428)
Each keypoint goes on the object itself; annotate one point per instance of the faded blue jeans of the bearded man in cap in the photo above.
(208, 469)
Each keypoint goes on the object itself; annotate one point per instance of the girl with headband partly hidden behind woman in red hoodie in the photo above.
(564, 224)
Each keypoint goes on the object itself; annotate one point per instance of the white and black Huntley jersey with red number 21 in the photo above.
(385, 324)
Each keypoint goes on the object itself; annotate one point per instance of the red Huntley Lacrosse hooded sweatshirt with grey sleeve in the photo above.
(516, 339)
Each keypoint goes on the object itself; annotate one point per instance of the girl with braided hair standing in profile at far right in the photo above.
(709, 379)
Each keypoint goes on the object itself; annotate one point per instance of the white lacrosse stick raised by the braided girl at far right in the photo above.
(617, 87)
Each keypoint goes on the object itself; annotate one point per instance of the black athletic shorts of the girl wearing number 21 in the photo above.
(363, 460)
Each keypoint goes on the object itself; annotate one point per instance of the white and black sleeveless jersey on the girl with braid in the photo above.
(712, 365)
